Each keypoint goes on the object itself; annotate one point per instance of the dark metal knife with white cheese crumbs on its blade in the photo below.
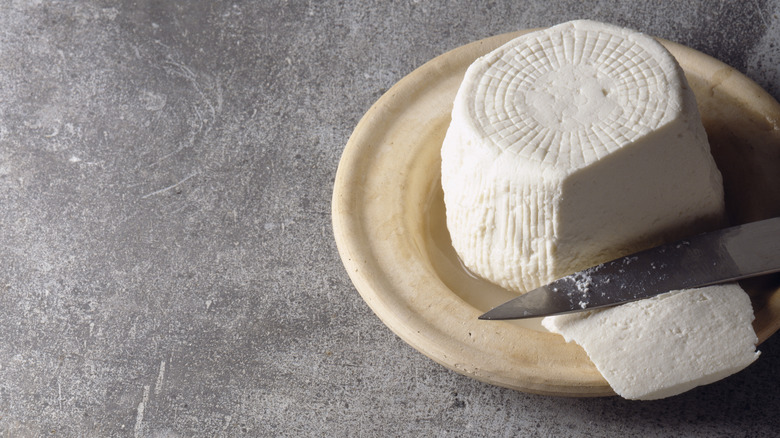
(720, 256)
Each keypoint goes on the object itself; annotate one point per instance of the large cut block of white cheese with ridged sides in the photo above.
(554, 129)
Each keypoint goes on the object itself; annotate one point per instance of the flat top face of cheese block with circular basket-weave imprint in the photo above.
(571, 94)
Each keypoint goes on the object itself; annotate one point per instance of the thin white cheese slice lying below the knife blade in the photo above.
(668, 344)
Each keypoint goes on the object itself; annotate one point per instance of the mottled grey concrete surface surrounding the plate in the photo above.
(167, 265)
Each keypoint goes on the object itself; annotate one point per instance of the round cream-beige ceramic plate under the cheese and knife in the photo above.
(388, 219)
